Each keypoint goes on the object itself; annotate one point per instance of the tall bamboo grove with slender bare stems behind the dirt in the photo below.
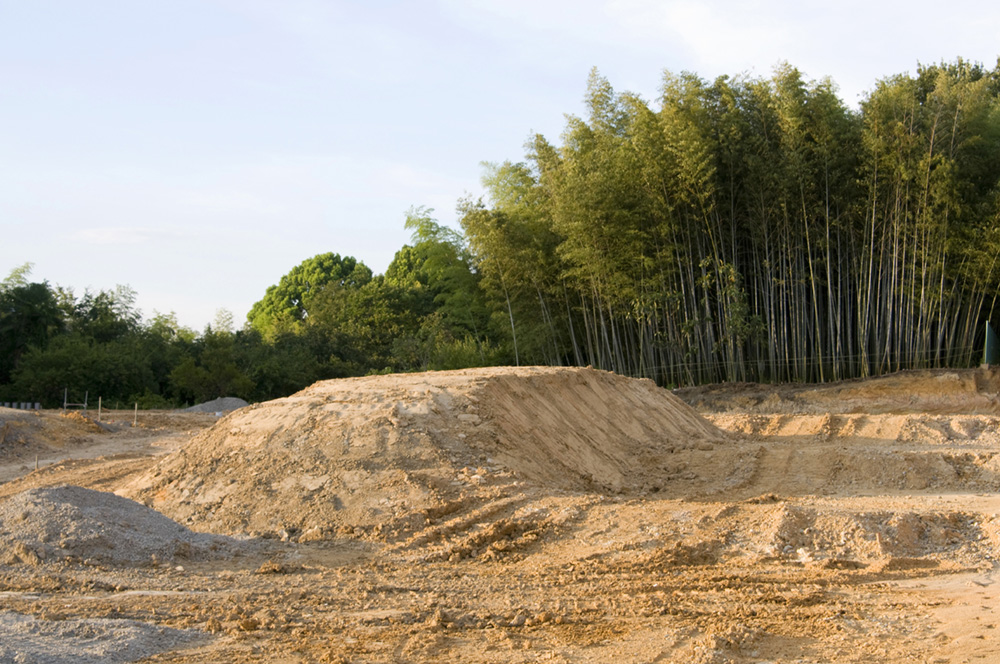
(752, 229)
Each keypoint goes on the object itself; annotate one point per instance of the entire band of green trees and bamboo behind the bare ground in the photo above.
(740, 229)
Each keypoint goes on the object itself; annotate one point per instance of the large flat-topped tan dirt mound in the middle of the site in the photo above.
(388, 454)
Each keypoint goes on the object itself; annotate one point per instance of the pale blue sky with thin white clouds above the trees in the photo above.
(198, 150)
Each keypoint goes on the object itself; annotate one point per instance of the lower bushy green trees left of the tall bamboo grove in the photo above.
(329, 317)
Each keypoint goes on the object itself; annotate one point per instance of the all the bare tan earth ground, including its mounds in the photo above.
(513, 515)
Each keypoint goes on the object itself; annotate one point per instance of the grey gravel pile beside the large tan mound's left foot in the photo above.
(73, 523)
